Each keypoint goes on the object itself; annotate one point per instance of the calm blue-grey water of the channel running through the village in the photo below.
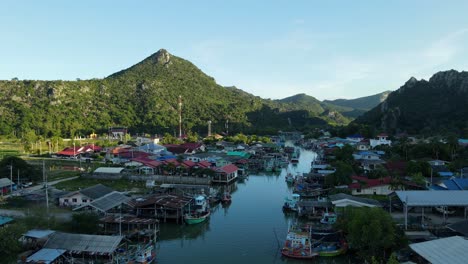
(252, 229)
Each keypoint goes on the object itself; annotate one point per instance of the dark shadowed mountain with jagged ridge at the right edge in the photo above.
(424, 107)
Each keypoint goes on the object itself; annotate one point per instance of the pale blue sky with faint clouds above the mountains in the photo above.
(273, 49)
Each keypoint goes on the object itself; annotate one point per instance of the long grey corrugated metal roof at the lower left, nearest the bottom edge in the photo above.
(84, 243)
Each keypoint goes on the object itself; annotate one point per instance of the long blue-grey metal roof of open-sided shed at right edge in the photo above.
(434, 198)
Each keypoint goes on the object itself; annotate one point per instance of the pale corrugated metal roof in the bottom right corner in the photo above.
(445, 250)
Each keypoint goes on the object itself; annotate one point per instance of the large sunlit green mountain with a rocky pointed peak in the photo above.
(143, 98)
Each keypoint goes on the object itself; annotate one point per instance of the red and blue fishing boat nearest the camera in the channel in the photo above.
(298, 245)
